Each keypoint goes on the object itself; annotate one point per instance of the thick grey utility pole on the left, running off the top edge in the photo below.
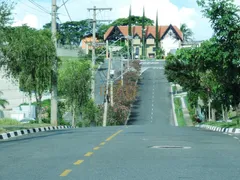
(54, 98)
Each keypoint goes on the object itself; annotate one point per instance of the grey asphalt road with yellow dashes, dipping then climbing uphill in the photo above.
(127, 152)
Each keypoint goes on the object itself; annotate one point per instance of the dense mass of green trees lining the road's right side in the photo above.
(211, 72)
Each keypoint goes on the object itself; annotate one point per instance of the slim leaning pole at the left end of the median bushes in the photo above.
(106, 95)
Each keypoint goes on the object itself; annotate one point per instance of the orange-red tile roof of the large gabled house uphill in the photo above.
(149, 30)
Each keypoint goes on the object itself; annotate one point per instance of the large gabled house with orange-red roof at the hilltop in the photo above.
(170, 38)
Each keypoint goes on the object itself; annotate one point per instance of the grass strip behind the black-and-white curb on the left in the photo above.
(7, 125)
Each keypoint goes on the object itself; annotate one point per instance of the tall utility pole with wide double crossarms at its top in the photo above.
(94, 9)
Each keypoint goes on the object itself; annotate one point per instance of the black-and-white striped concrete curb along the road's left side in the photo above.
(16, 133)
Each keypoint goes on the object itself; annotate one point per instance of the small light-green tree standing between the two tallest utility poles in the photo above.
(74, 86)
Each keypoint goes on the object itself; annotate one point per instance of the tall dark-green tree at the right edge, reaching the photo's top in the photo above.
(225, 21)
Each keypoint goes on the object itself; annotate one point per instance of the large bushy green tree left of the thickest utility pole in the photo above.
(28, 56)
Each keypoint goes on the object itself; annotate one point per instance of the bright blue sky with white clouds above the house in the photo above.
(173, 12)
